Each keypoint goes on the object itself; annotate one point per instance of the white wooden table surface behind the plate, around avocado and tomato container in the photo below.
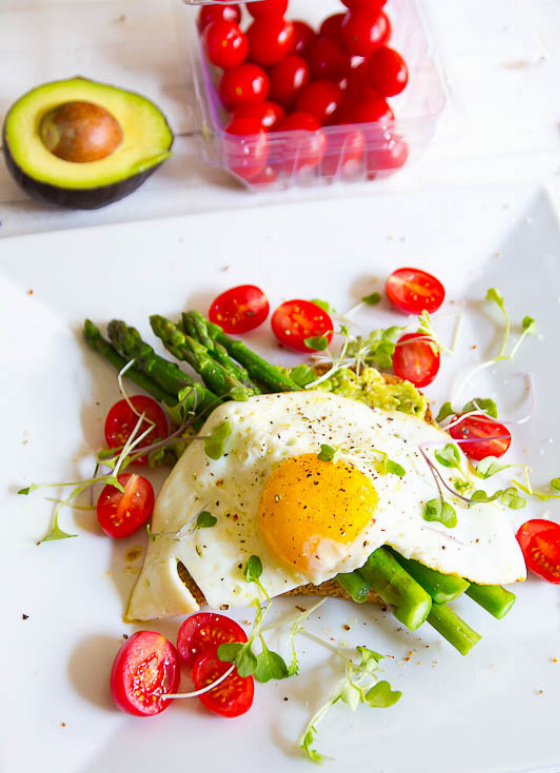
(502, 124)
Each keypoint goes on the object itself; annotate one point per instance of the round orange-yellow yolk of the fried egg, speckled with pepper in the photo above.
(311, 511)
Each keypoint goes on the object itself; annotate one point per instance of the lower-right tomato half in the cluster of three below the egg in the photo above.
(231, 698)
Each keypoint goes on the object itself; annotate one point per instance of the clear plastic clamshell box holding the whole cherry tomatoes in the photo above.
(351, 149)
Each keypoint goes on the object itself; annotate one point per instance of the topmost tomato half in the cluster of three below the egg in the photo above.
(206, 631)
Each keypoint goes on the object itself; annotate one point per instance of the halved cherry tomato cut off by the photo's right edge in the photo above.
(539, 540)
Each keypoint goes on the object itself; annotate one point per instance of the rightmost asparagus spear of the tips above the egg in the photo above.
(261, 371)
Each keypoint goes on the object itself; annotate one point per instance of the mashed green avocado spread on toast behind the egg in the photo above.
(371, 388)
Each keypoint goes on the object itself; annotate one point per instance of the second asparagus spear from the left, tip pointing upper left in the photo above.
(169, 376)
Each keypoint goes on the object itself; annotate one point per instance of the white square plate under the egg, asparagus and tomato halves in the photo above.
(493, 711)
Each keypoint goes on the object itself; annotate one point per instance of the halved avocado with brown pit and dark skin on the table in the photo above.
(141, 141)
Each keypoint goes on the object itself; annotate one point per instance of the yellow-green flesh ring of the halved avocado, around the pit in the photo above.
(147, 138)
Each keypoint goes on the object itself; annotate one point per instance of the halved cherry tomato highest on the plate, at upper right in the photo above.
(413, 291)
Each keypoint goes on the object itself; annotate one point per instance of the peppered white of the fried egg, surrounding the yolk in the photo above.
(267, 430)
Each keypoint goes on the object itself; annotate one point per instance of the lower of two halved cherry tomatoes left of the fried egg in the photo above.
(121, 514)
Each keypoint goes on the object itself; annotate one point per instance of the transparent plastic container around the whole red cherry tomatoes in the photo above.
(353, 152)
